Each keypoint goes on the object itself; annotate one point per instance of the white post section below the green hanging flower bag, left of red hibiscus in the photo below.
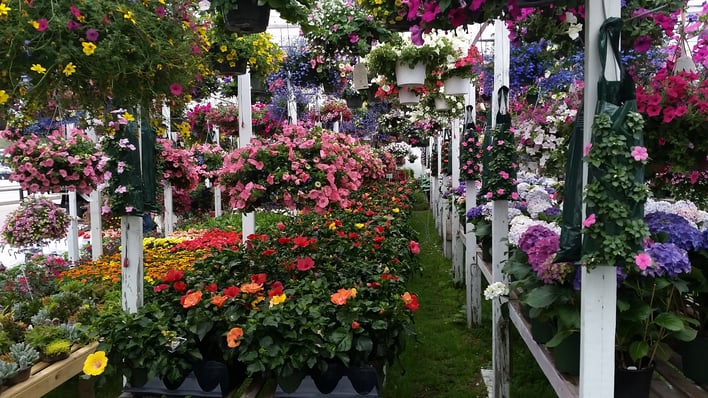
(131, 237)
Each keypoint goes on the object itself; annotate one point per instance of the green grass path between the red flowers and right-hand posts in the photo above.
(444, 359)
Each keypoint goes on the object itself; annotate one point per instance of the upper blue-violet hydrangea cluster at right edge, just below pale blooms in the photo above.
(676, 229)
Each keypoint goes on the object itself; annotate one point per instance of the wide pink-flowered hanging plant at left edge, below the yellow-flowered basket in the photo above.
(55, 162)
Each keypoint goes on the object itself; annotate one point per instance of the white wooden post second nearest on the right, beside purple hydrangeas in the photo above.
(500, 227)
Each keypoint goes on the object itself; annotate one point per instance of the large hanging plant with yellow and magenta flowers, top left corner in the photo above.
(59, 46)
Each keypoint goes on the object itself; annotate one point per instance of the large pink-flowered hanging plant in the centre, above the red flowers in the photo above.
(298, 169)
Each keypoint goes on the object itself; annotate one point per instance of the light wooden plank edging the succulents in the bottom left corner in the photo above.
(46, 378)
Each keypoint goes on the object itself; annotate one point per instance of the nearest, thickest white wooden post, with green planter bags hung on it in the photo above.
(599, 286)
